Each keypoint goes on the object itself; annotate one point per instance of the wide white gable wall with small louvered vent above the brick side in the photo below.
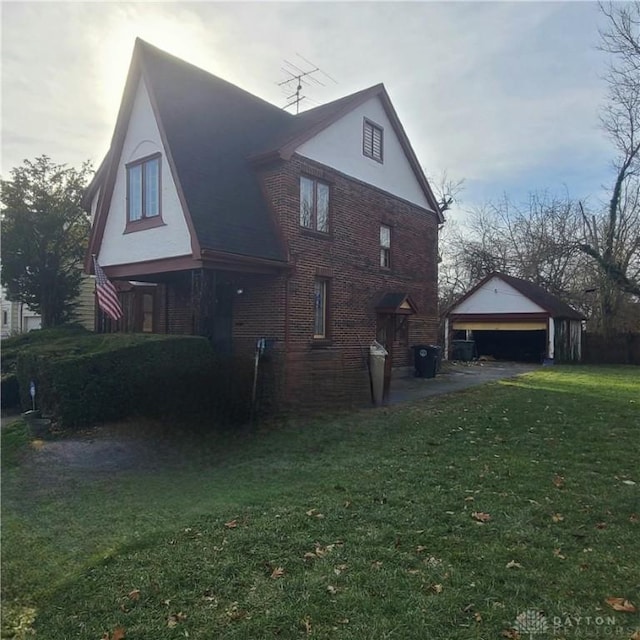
(339, 146)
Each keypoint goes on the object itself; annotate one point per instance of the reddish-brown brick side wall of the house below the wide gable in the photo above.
(348, 256)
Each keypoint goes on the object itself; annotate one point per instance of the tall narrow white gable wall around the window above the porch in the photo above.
(173, 239)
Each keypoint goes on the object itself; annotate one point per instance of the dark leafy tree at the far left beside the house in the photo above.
(44, 236)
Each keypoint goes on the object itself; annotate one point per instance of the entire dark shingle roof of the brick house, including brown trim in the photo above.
(214, 133)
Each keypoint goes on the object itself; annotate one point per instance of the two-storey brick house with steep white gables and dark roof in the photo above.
(219, 214)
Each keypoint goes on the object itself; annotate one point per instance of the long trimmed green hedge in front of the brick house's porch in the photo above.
(173, 376)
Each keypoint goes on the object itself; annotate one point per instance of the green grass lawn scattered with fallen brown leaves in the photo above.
(444, 519)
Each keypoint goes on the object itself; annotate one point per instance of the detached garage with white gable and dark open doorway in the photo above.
(512, 319)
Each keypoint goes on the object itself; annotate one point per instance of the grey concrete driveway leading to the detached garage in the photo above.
(454, 376)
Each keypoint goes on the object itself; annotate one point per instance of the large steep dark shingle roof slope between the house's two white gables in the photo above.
(211, 127)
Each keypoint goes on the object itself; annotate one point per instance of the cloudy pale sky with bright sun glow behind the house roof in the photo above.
(504, 95)
